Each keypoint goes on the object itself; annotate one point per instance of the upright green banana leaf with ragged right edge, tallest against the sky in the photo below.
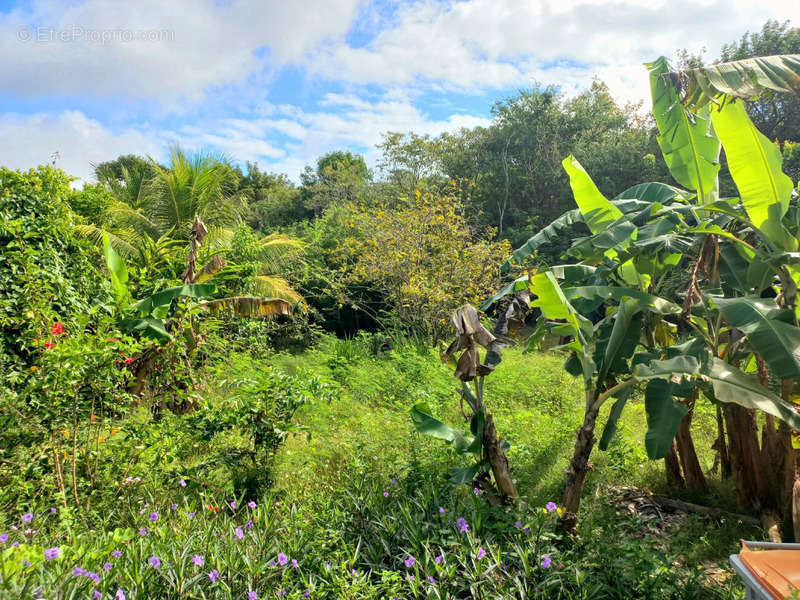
(690, 151)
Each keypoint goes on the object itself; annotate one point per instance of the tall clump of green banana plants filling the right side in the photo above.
(622, 331)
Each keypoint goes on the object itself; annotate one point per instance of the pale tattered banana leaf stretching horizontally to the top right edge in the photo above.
(740, 79)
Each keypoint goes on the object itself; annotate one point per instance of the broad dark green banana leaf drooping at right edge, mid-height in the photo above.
(770, 330)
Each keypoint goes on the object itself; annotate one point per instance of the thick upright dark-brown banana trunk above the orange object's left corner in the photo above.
(745, 455)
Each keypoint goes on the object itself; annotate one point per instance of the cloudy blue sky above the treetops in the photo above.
(281, 82)
